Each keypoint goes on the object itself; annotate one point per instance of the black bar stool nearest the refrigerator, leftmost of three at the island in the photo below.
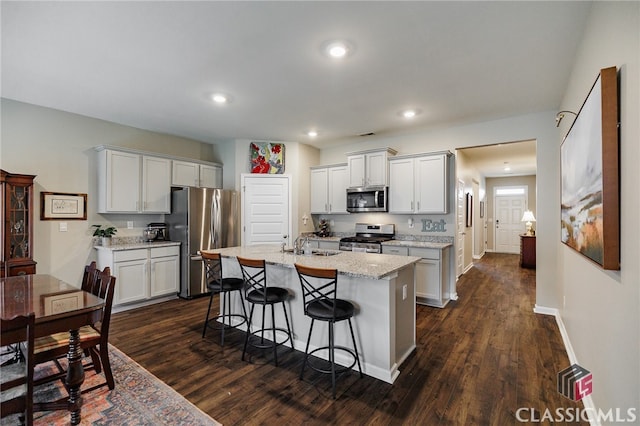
(224, 287)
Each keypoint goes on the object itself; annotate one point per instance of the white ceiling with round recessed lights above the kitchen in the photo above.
(153, 65)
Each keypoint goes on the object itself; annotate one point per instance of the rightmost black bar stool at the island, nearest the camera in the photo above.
(319, 289)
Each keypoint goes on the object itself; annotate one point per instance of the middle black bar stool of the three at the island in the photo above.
(258, 293)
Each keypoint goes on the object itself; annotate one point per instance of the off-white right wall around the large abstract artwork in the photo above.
(602, 308)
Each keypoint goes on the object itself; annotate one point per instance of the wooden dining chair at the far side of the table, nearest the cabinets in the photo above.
(94, 338)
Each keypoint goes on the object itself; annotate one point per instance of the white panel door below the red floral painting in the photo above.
(266, 209)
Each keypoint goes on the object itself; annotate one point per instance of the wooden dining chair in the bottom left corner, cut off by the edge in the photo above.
(16, 379)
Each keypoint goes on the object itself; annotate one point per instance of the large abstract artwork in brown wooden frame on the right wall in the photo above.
(590, 205)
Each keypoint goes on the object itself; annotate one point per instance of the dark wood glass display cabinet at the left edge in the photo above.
(16, 193)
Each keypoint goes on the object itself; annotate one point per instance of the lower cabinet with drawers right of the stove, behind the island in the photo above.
(431, 274)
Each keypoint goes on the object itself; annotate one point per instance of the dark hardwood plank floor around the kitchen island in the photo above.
(477, 362)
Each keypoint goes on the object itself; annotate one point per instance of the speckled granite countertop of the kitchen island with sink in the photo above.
(365, 265)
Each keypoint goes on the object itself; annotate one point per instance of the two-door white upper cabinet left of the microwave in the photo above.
(329, 189)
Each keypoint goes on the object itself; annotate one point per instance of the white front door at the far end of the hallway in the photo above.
(508, 212)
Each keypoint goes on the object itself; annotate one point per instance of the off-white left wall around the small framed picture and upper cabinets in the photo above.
(58, 148)
